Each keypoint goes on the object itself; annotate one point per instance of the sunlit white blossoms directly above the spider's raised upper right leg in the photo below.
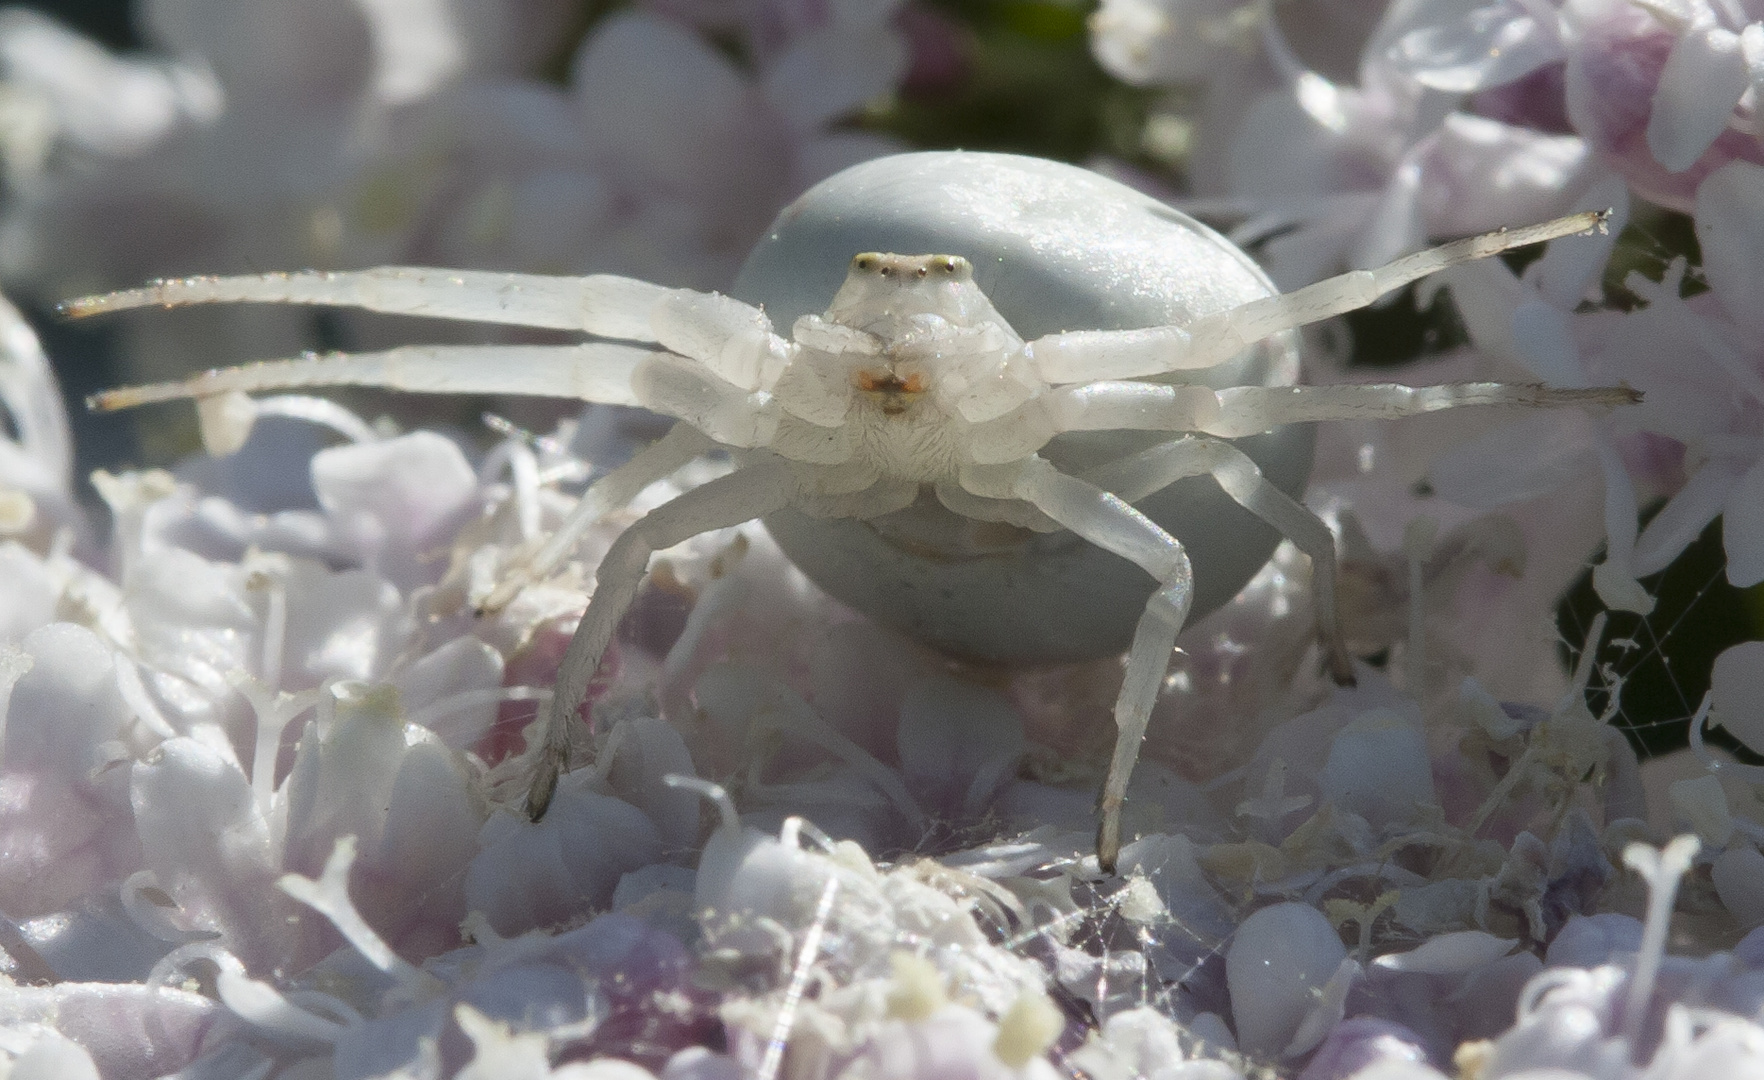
(1331, 174)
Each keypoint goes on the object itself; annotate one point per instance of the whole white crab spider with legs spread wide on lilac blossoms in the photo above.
(1139, 357)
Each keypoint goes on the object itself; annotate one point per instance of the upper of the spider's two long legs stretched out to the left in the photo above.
(599, 304)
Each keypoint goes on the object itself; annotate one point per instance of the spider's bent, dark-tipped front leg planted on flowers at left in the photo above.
(747, 493)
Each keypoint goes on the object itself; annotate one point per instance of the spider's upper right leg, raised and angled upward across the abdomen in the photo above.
(1089, 356)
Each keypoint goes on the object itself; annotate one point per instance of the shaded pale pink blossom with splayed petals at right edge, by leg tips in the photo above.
(1691, 357)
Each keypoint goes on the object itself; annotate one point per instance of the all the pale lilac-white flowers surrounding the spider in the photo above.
(262, 761)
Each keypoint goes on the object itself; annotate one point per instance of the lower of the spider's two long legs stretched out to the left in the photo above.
(595, 371)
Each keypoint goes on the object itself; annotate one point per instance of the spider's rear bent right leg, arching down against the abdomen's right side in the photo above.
(1160, 467)
